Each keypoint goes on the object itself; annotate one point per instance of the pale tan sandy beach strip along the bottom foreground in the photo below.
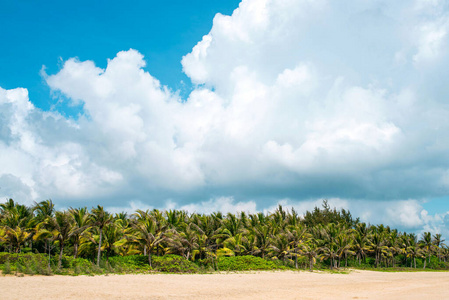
(256, 285)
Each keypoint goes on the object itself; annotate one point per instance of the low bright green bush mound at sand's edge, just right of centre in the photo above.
(246, 263)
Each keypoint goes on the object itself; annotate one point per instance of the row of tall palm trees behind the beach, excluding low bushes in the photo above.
(329, 236)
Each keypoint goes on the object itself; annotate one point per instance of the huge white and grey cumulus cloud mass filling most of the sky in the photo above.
(292, 100)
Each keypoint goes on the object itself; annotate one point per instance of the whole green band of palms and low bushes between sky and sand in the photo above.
(40, 240)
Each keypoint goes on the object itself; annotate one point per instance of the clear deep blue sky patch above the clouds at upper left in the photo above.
(41, 34)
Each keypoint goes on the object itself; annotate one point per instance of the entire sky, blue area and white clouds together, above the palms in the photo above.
(228, 105)
